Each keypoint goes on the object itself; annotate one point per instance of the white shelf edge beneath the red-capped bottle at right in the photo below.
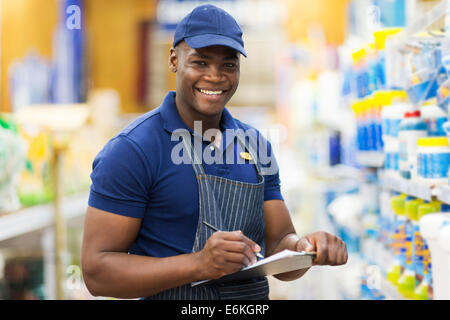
(411, 187)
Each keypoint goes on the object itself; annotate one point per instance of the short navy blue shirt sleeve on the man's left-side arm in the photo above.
(120, 179)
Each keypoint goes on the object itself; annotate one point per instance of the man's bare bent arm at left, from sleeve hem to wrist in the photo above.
(108, 269)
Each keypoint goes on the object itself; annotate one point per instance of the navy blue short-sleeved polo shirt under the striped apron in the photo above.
(134, 175)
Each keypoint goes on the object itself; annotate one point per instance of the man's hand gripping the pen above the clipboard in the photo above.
(225, 253)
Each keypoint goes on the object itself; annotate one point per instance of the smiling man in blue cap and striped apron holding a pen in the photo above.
(148, 230)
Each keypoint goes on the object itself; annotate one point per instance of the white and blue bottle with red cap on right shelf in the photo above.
(411, 129)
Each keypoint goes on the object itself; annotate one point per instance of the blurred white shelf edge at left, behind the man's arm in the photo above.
(38, 217)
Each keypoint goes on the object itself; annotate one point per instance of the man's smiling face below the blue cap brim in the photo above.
(206, 80)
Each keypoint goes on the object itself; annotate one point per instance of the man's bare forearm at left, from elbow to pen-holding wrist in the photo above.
(127, 276)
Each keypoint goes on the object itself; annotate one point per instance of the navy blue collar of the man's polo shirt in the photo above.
(172, 120)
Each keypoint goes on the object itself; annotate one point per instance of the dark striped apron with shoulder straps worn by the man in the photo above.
(228, 205)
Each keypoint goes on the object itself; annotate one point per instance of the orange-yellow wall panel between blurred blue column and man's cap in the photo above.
(113, 44)
